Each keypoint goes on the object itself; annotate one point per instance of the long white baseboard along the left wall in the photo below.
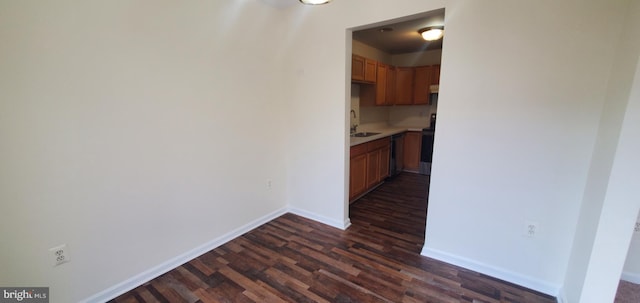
(150, 274)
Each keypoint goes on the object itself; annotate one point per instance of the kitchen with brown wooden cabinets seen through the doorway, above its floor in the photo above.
(394, 93)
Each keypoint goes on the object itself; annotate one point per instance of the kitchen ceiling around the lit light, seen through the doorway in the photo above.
(404, 36)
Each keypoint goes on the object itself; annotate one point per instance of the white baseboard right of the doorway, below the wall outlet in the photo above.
(509, 276)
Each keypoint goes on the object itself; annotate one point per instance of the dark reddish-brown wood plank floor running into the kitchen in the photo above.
(294, 259)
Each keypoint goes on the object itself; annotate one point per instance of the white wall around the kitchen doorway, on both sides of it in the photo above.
(518, 117)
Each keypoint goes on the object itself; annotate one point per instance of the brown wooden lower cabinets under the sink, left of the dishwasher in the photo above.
(369, 165)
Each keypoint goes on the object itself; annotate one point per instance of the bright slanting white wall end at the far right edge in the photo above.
(619, 209)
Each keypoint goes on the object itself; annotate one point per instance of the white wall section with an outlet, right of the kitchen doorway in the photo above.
(517, 119)
